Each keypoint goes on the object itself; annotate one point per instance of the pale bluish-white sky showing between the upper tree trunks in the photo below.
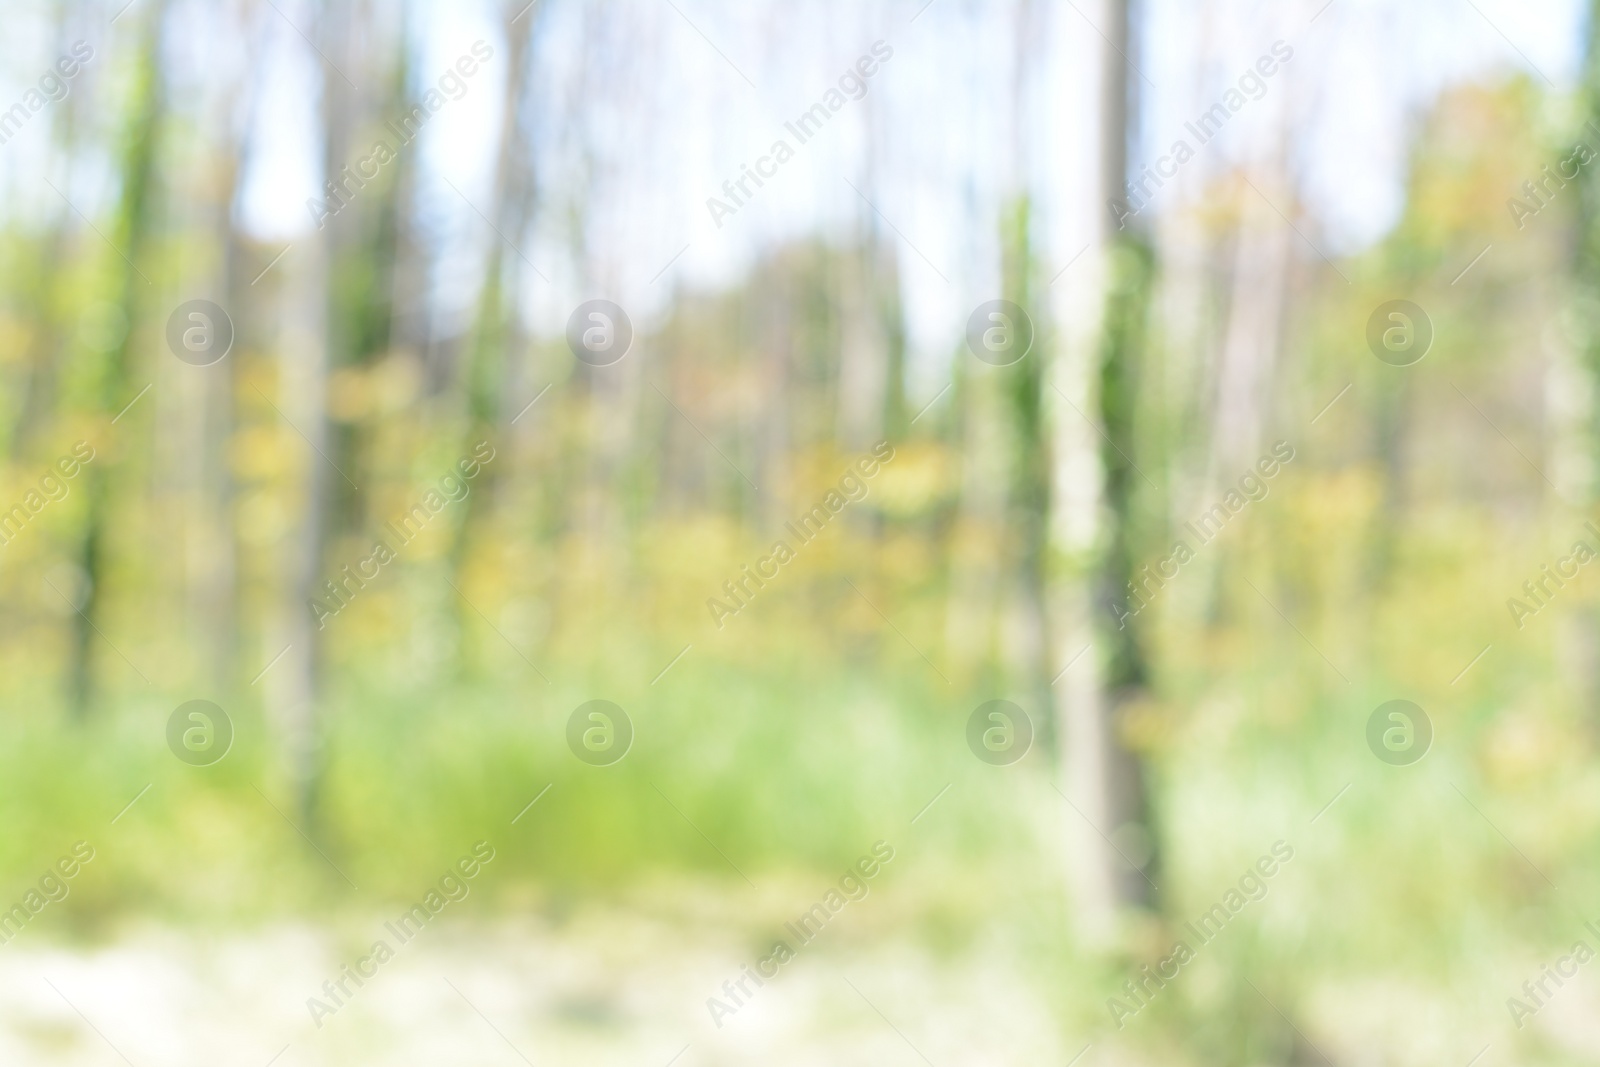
(674, 102)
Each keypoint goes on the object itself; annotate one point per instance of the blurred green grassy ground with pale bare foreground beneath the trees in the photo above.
(1414, 908)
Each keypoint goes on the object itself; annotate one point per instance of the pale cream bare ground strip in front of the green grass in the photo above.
(598, 985)
